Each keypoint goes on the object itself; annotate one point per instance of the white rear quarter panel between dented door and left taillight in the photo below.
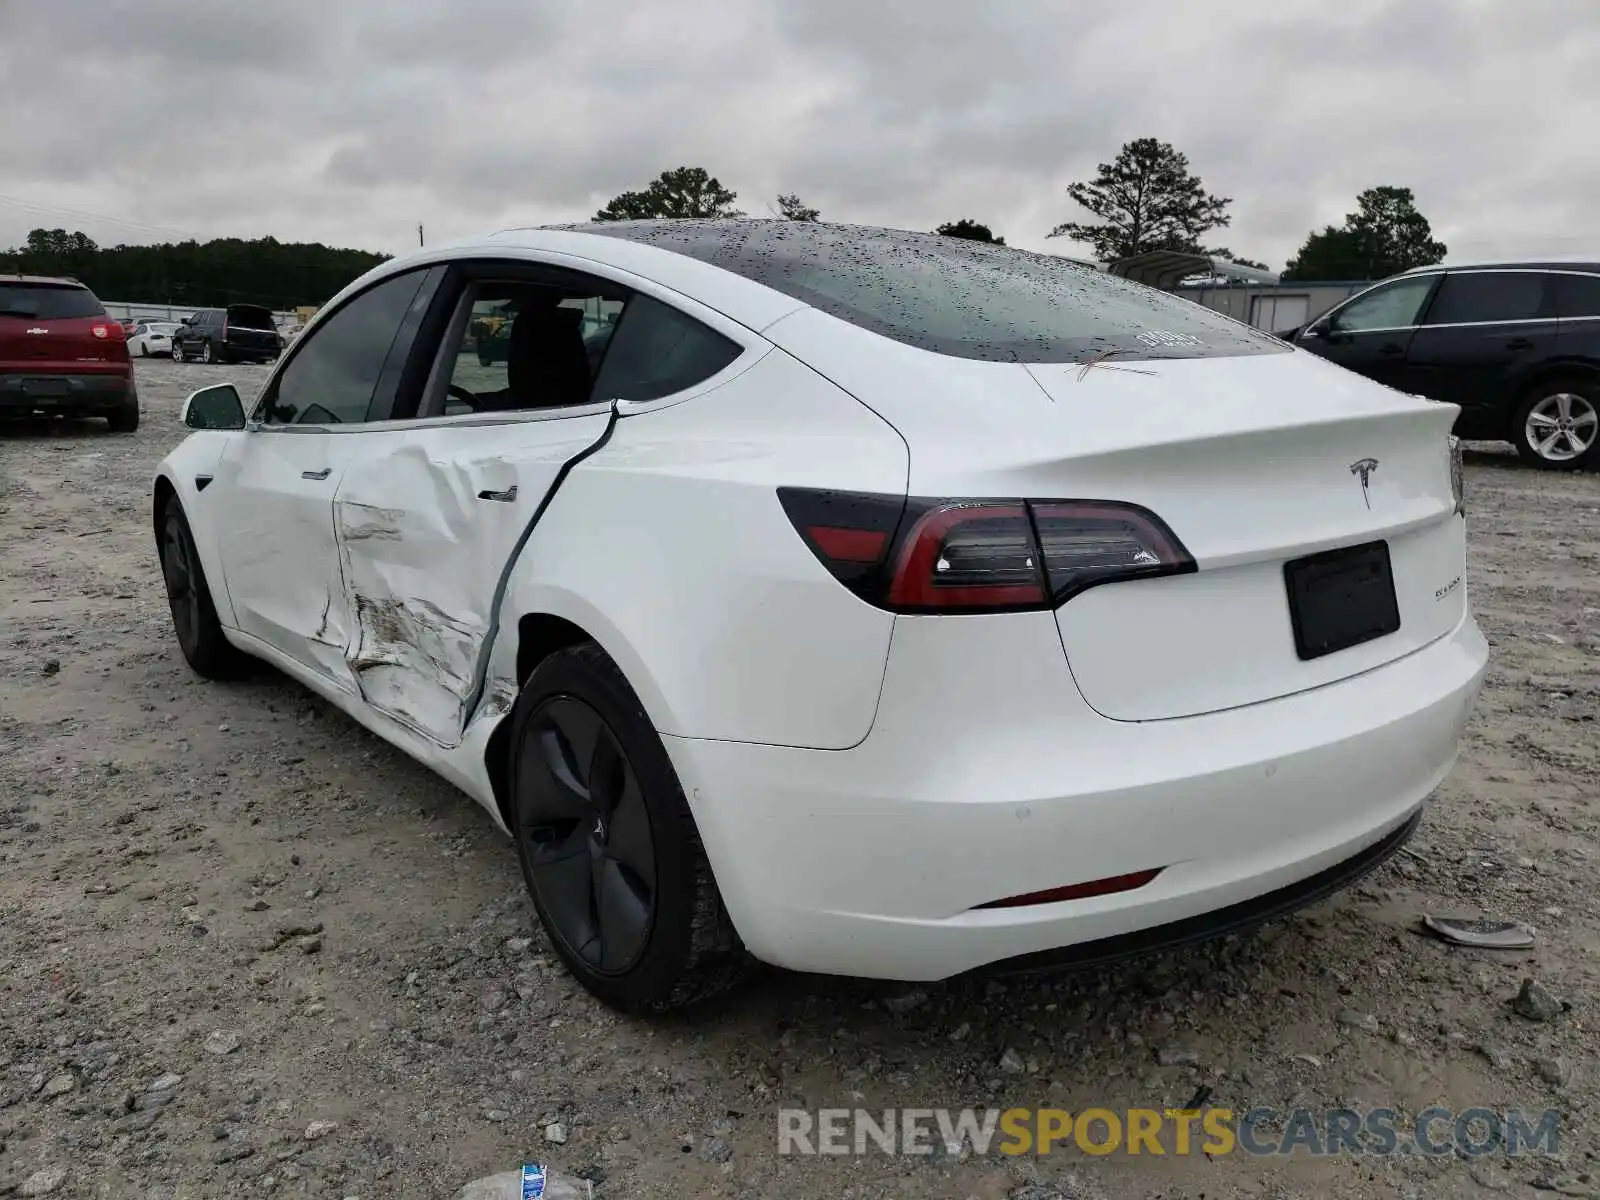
(671, 550)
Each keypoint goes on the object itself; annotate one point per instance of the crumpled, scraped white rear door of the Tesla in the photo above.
(428, 526)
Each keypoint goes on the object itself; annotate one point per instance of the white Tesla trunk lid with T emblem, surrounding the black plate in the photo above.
(1254, 462)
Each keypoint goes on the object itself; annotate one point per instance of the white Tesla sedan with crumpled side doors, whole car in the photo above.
(855, 601)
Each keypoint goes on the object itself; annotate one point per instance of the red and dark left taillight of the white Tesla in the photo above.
(980, 556)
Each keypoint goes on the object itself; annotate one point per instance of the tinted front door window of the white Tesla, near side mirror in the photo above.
(332, 377)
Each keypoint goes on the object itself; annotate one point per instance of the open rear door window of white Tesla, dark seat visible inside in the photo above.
(527, 346)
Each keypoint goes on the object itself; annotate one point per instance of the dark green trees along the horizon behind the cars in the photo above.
(1146, 199)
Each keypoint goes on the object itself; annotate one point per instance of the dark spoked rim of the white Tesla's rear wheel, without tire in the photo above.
(586, 834)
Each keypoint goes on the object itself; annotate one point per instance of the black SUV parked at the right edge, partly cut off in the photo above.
(1516, 345)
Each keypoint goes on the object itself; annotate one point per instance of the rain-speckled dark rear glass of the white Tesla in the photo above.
(956, 297)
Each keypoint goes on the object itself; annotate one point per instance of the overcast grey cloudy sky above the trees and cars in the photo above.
(354, 121)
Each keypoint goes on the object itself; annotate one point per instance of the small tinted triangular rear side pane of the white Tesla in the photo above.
(660, 351)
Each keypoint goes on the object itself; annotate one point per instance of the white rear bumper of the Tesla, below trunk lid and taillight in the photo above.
(988, 777)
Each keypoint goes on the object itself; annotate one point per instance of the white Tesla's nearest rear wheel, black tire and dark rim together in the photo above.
(609, 847)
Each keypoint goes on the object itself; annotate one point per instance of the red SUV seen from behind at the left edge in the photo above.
(62, 354)
